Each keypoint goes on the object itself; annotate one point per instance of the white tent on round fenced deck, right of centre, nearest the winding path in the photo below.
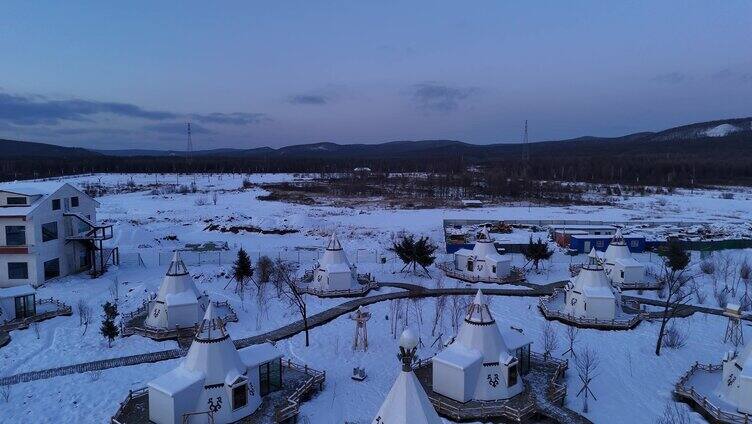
(590, 294)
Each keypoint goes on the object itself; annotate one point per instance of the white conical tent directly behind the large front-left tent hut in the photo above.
(178, 302)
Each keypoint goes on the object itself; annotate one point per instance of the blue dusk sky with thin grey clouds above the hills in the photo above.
(116, 75)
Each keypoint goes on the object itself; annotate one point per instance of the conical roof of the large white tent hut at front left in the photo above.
(212, 352)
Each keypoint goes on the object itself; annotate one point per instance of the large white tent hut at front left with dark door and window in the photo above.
(213, 377)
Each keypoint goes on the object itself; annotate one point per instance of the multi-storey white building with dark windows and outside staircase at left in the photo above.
(49, 230)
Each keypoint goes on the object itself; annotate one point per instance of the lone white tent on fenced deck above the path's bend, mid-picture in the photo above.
(334, 271)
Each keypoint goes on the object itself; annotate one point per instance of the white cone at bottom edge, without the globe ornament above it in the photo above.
(407, 403)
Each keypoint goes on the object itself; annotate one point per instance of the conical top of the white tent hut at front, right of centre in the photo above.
(480, 332)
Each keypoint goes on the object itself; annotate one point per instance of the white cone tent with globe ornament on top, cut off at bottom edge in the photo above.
(407, 402)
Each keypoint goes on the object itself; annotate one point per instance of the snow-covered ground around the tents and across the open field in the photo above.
(632, 385)
